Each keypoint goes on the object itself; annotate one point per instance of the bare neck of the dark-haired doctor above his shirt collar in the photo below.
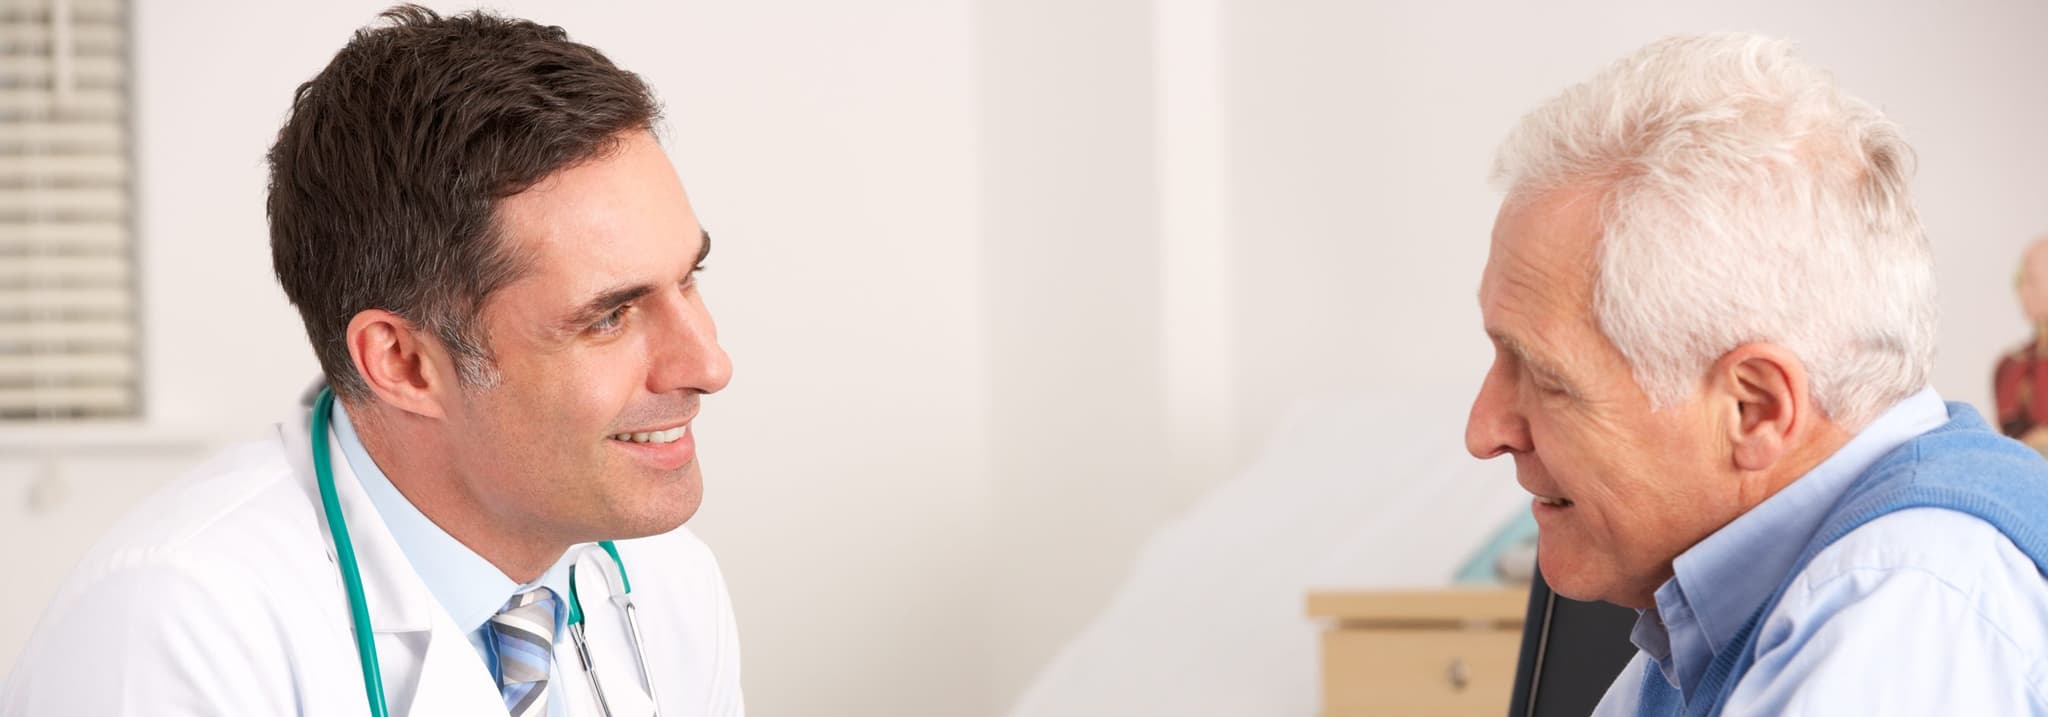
(421, 460)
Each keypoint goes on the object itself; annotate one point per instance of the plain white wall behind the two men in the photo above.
(962, 263)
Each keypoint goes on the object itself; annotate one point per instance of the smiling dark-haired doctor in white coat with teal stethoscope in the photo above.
(497, 267)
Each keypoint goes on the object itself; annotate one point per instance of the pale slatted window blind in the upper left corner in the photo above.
(69, 337)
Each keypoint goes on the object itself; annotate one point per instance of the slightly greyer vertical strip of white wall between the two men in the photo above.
(1074, 314)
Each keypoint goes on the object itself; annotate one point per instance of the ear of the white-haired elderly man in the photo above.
(1770, 411)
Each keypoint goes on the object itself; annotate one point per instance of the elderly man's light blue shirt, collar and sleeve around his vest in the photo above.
(1918, 614)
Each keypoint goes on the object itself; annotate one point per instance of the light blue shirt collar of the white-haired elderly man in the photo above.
(1721, 581)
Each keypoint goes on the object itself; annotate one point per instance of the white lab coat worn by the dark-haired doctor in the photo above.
(222, 597)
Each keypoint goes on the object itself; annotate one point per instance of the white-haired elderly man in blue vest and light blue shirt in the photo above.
(1713, 314)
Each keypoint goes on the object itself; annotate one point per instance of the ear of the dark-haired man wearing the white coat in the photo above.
(402, 364)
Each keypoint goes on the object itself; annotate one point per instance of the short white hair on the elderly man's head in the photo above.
(1744, 200)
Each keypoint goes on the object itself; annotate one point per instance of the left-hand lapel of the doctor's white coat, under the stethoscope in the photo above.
(429, 665)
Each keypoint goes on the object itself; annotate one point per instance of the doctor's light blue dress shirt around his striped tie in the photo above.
(464, 583)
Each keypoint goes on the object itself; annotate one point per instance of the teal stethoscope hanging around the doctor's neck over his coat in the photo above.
(359, 611)
